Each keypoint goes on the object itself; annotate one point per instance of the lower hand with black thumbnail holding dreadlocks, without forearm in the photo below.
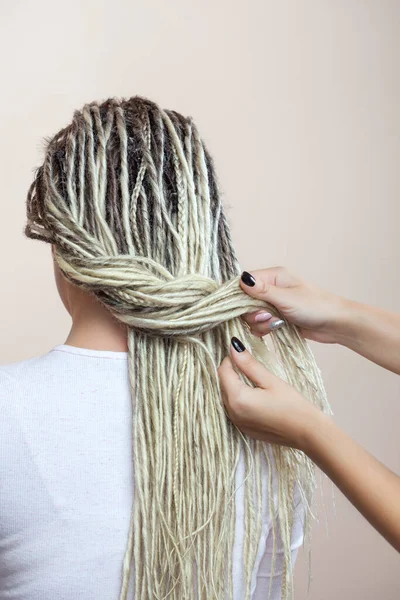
(273, 411)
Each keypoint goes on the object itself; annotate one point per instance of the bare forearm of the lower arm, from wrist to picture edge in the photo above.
(370, 486)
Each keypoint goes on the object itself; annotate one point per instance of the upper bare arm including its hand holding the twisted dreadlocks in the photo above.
(324, 317)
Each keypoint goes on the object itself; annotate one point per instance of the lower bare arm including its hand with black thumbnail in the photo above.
(275, 412)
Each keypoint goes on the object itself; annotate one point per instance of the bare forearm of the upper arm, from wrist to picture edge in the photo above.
(371, 332)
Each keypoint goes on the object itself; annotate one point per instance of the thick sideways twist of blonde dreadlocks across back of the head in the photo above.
(143, 294)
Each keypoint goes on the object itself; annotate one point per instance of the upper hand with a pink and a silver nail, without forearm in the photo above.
(316, 312)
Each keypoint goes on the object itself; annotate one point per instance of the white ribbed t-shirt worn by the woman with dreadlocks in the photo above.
(66, 481)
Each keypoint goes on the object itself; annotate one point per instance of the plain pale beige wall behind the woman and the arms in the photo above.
(299, 102)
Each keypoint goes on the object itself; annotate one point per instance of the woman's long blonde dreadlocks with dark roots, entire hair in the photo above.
(128, 196)
